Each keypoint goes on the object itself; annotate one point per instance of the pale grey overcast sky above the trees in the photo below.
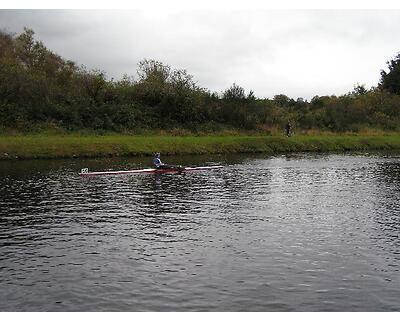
(297, 52)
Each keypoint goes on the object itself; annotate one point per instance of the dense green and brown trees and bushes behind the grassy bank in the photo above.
(39, 89)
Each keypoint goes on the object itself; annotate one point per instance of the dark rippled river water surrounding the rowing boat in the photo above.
(298, 233)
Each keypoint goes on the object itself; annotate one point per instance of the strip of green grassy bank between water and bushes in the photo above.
(76, 146)
